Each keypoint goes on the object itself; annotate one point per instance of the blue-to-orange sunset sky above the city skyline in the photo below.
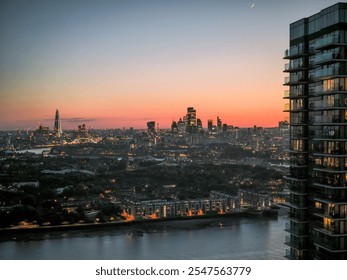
(121, 63)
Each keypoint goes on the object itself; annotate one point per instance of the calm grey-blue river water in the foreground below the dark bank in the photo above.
(215, 239)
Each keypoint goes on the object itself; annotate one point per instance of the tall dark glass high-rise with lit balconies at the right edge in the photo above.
(318, 135)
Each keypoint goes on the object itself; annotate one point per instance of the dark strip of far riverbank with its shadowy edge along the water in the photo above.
(187, 222)
